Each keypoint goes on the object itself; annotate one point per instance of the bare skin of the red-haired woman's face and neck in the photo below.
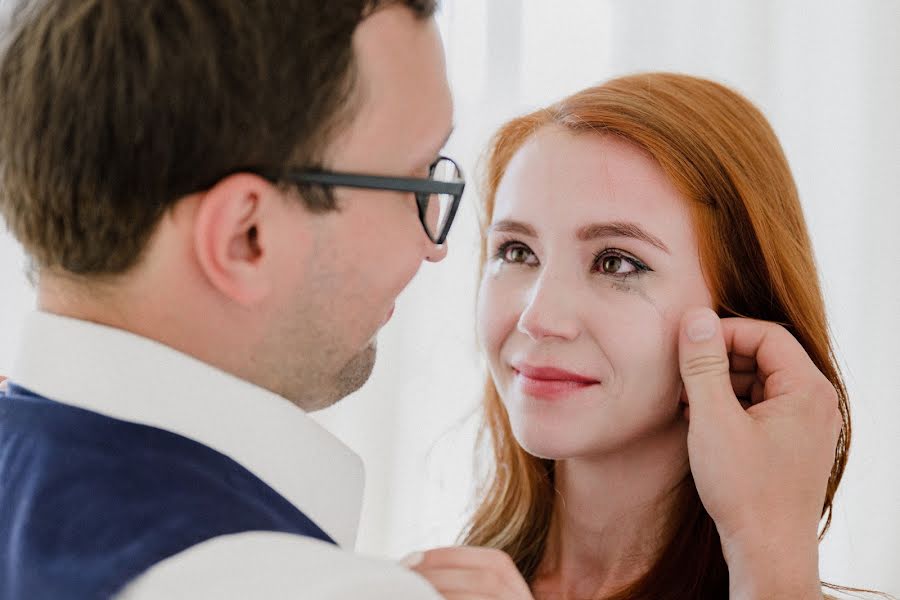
(592, 262)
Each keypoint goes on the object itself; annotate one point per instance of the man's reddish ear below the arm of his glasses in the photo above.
(233, 230)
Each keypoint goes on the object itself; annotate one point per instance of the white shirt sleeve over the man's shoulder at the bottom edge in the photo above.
(276, 565)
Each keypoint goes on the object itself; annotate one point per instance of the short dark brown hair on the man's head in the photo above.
(111, 110)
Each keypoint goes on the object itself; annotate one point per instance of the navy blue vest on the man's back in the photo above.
(87, 502)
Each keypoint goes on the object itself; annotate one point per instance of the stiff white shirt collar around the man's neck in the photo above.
(132, 378)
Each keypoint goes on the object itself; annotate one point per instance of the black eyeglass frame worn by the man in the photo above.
(422, 188)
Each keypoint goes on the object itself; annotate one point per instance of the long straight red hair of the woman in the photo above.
(726, 162)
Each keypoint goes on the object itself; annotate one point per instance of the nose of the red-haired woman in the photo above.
(550, 311)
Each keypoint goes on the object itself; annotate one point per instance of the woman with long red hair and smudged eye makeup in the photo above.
(607, 216)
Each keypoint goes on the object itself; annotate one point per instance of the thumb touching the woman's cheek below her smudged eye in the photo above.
(703, 361)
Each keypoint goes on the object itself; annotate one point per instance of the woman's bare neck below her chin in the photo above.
(611, 516)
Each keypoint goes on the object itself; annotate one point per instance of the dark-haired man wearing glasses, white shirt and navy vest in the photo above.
(222, 201)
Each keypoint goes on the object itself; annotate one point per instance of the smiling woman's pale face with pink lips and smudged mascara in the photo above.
(592, 259)
